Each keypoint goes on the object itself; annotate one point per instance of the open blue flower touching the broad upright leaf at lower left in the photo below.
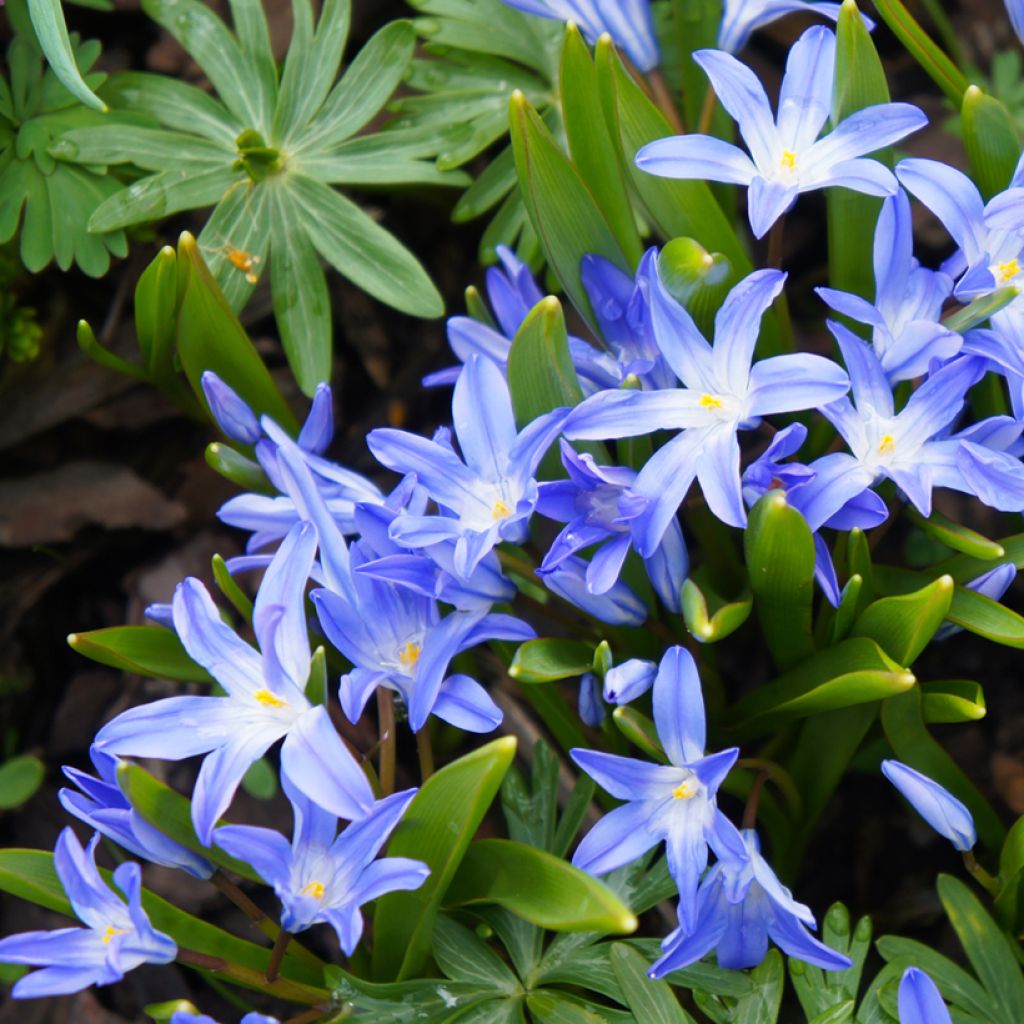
(322, 877)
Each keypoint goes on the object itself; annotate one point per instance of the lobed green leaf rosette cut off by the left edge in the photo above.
(52, 200)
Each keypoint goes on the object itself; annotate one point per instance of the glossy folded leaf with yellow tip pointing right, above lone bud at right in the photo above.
(857, 671)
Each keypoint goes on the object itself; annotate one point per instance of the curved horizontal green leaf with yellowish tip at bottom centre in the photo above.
(542, 889)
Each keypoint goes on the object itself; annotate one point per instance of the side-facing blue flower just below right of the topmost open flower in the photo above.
(905, 320)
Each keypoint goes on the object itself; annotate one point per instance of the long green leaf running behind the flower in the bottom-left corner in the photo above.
(30, 876)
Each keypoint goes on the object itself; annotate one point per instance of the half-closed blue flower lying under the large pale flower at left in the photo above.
(103, 805)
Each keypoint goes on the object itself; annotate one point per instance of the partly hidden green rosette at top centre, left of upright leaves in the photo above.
(479, 54)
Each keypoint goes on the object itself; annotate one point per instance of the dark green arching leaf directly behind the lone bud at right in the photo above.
(904, 722)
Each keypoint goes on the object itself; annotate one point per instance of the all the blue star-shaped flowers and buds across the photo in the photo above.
(405, 582)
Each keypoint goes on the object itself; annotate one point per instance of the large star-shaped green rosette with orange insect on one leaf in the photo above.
(267, 154)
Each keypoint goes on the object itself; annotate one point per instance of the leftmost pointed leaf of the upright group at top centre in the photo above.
(563, 210)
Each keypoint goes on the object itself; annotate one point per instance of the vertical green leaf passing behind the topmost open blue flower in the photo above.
(860, 82)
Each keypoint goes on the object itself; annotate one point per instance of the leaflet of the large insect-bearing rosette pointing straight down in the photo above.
(302, 304)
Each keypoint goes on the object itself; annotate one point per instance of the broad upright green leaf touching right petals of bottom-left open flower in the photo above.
(437, 830)
